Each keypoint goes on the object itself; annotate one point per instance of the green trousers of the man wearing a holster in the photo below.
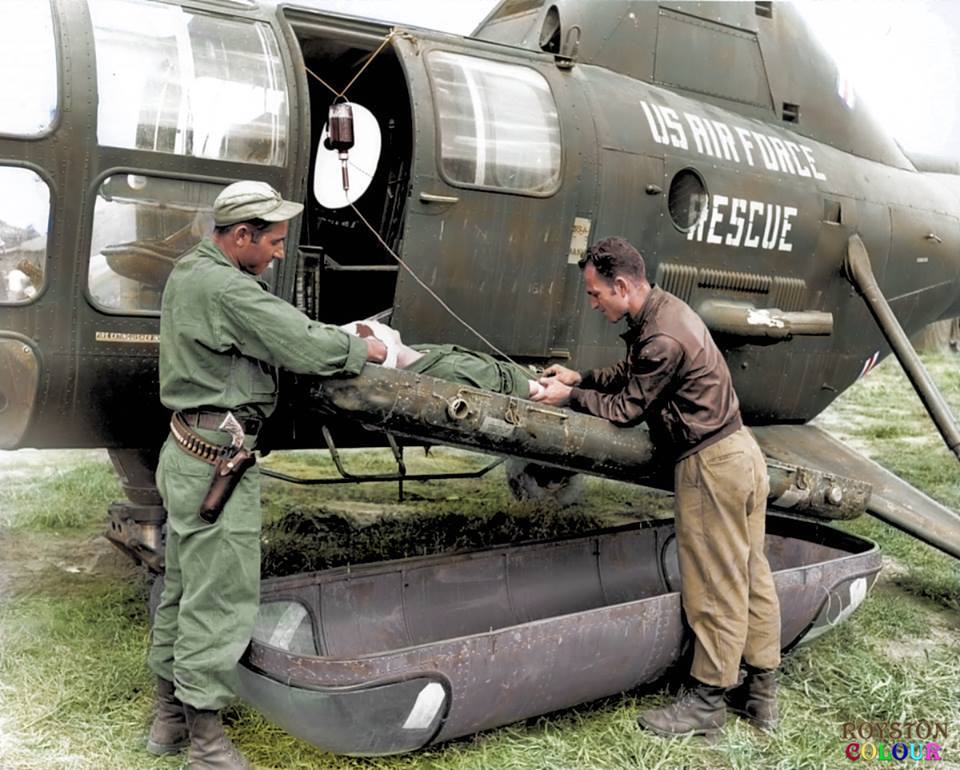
(212, 585)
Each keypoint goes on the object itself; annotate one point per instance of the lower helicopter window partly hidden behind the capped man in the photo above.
(141, 226)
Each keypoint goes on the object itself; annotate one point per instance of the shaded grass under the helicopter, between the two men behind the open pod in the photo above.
(305, 530)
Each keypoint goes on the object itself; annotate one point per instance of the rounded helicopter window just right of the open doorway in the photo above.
(498, 124)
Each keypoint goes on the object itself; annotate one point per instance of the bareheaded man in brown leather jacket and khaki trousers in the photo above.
(676, 380)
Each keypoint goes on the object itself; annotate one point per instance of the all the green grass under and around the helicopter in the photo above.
(74, 692)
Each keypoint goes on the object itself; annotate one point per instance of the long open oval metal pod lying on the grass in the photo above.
(389, 657)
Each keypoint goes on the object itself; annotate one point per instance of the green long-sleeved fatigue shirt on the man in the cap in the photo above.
(222, 332)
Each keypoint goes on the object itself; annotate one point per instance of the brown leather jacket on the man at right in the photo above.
(674, 377)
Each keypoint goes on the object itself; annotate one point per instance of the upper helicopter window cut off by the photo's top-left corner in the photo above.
(28, 68)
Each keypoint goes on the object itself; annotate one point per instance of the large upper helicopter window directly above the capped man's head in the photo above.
(188, 83)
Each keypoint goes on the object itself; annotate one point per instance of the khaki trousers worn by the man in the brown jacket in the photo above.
(727, 588)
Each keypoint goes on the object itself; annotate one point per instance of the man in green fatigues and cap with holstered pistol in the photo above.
(222, 334)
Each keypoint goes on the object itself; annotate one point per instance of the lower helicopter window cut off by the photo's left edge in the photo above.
(24, 222)
